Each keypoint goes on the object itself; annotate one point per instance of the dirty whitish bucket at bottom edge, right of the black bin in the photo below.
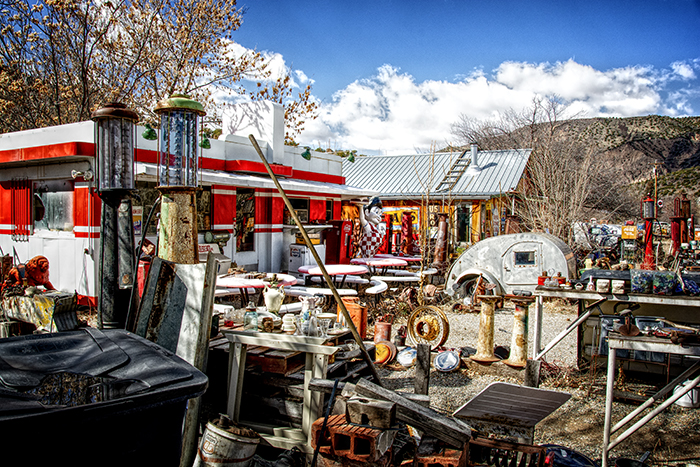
(223, 448)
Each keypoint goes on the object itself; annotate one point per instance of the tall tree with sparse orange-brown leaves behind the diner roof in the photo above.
(60, 59)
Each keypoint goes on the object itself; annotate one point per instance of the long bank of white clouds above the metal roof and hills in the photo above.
(392, 113)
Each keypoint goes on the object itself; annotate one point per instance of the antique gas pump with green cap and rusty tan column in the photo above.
(178, 178)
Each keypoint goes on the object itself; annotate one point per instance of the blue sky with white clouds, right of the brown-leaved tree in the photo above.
(392, 76)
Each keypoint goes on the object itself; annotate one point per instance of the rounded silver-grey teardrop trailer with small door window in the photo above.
(510, 262)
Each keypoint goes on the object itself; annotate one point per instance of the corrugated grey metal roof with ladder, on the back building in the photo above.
(420, 174)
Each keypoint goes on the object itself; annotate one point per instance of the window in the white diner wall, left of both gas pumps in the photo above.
(53, 206)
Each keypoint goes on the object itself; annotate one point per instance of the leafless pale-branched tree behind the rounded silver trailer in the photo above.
(565, 177)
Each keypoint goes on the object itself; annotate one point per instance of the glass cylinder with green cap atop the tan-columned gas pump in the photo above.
(178, 163)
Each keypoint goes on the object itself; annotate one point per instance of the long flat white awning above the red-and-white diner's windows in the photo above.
(149, 172)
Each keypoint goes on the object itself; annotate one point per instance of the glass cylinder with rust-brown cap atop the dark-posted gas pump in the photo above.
(115, 141)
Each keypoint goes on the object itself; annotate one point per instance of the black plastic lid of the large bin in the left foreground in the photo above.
(105, 365)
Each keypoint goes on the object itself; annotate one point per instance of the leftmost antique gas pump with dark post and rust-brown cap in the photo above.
(115, 141)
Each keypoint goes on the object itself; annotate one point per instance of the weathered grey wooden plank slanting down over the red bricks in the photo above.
(425, 419)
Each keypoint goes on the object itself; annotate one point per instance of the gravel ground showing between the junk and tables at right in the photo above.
(673, 437)
